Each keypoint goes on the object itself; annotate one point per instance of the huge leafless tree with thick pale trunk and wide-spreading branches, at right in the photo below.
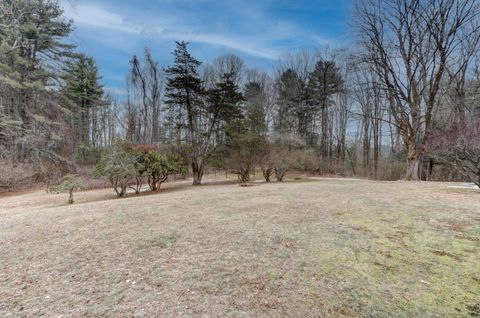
(410, 44)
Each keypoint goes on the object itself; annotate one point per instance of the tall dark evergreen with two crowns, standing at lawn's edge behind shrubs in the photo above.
(202, 113)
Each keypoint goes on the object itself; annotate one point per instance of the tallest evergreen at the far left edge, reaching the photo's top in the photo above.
(32, 48)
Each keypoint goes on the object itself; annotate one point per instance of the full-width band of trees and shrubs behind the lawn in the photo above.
(403, 101)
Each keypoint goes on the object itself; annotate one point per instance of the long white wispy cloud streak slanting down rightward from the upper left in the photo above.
(264, 43)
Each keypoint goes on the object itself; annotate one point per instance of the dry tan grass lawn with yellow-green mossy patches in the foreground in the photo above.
(316, 248)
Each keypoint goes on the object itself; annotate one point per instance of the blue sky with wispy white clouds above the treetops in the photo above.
(260, 31)
